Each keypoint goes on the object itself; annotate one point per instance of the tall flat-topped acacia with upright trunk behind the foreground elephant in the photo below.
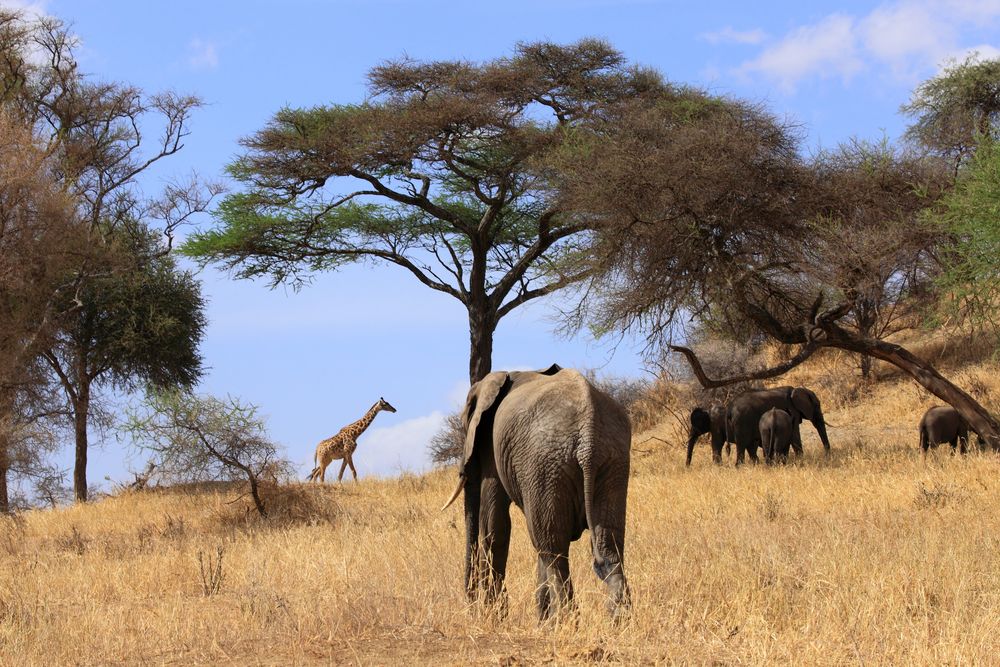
(441, 172)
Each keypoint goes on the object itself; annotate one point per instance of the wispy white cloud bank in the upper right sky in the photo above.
(905, 37)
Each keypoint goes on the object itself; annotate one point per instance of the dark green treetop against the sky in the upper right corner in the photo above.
(957, 109)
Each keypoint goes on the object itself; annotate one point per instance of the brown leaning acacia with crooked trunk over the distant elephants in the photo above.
(722, 226)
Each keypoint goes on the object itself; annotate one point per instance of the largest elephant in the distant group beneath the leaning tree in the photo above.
(745, 411)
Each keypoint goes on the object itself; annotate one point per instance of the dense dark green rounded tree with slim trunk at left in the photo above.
(133, 327)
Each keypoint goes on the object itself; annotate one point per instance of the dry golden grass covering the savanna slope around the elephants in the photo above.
(871, 556)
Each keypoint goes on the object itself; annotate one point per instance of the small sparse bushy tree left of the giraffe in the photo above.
(203, 438)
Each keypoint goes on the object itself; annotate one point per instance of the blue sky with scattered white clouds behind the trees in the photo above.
(316, 359)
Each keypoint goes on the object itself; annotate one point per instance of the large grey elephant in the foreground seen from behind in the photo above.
(558, 448)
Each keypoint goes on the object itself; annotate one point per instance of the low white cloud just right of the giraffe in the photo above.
(389, 450)
